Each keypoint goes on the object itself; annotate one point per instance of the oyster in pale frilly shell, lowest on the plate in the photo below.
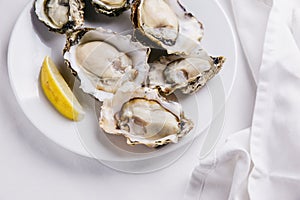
(143, 117)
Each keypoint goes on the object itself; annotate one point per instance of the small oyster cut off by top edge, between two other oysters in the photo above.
(111, 7)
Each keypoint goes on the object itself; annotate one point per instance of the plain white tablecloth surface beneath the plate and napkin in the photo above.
(32, 167)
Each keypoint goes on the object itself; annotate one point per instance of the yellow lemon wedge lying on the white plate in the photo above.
(58, 92)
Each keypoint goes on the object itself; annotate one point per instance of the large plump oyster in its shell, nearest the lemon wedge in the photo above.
(103, 60)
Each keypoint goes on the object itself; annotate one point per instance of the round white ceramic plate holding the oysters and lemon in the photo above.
(31, 42)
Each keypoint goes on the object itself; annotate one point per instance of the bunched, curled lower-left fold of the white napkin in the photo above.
(232, 162)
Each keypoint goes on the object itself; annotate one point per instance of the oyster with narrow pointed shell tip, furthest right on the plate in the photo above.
(188, 73)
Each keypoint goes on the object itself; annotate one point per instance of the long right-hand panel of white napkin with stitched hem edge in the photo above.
(275, 128)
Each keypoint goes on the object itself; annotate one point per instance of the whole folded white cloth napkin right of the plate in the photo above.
(261, 162)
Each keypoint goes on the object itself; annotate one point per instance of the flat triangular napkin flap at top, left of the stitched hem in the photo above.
(251, 18)
